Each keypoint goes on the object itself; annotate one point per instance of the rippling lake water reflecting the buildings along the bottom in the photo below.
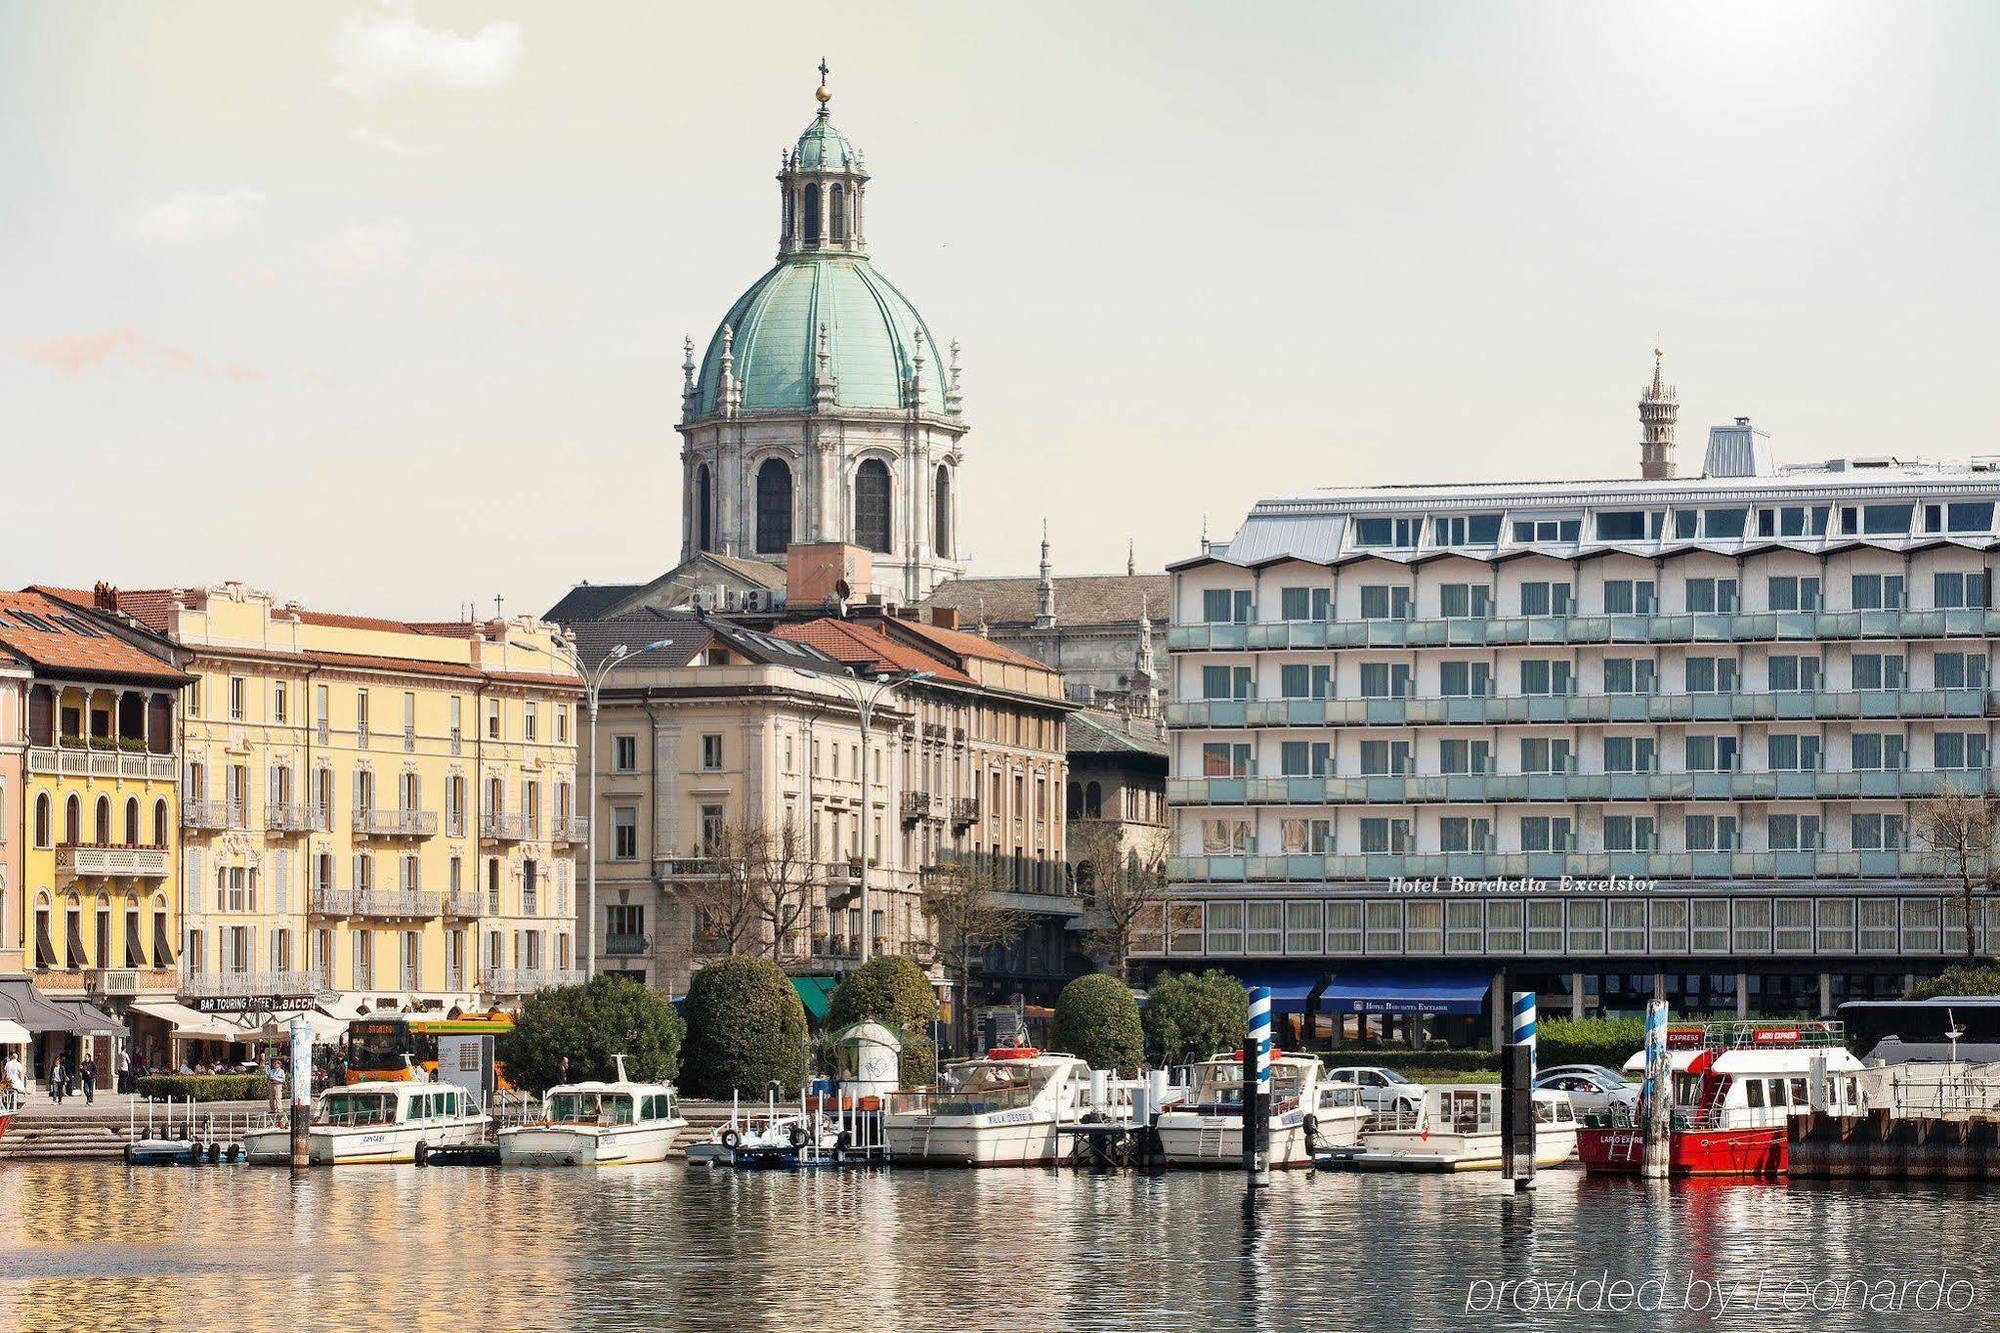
(239, 1248)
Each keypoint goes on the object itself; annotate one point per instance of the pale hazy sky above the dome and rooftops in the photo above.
(381, 307)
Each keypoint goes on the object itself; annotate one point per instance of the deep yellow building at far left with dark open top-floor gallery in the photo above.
(93, 922)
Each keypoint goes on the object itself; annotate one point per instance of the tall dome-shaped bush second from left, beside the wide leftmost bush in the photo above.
(745, 1030)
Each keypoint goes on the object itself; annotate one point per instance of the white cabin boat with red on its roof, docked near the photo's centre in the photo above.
(997, 1112)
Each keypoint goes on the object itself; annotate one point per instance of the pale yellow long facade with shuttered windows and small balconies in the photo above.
(371, 808)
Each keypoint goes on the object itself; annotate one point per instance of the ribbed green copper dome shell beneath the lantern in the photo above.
(871, 339)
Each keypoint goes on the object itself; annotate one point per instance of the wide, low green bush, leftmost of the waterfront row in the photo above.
(591, 1024)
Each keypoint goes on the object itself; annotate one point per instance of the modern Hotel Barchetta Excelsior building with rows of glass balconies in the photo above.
(1591, 740)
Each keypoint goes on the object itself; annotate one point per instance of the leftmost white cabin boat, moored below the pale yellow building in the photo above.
(379, 1122)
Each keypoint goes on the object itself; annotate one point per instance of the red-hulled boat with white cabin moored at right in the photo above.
(1737, 1086)
